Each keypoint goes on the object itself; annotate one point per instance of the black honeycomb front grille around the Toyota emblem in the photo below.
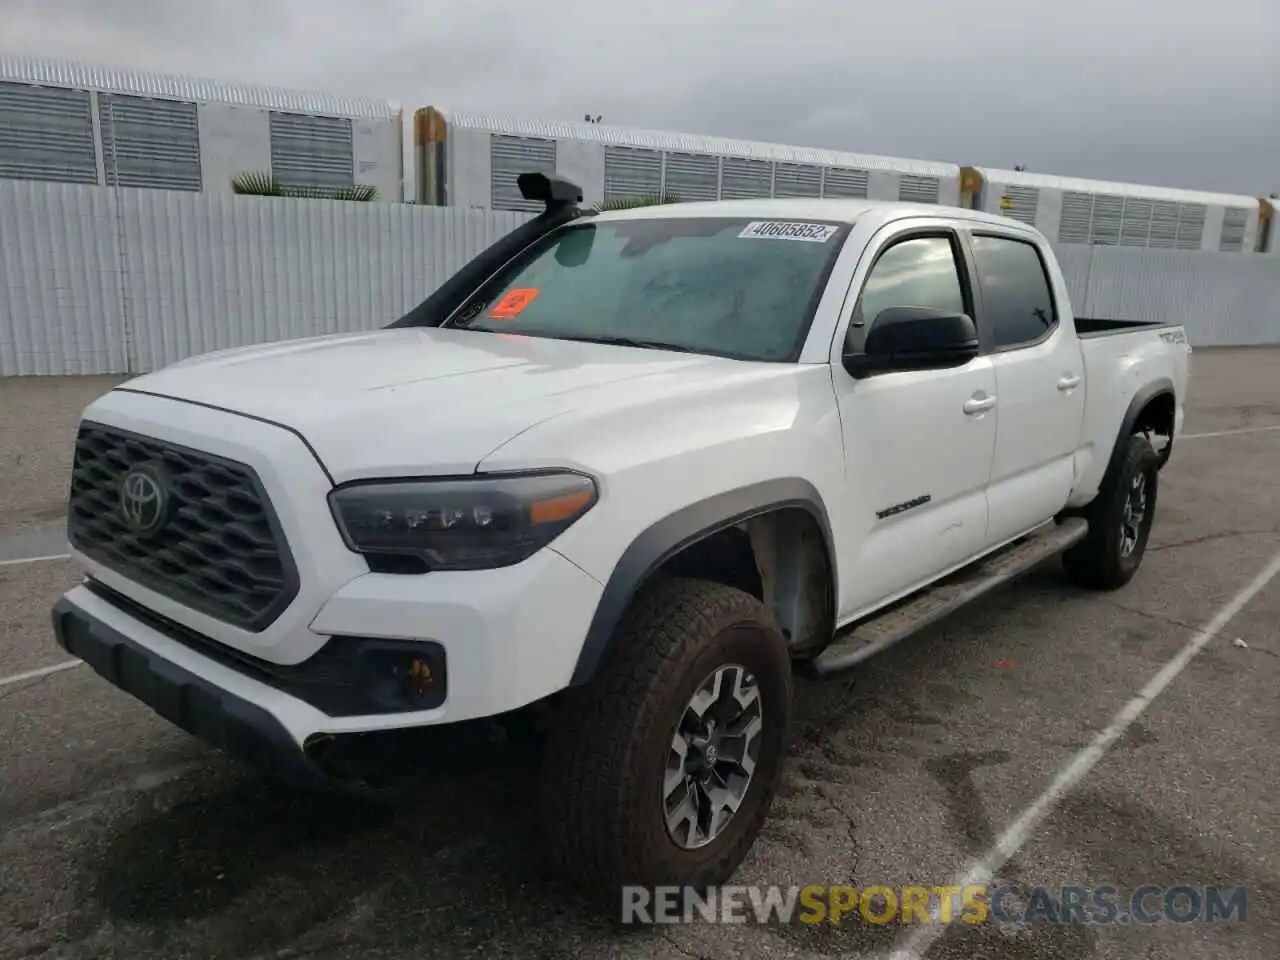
(212, 541)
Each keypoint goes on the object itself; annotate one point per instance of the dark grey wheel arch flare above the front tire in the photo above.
(675, 534)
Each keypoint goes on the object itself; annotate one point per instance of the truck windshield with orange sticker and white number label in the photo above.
(729, 287)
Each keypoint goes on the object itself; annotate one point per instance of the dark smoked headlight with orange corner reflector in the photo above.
(467, 524)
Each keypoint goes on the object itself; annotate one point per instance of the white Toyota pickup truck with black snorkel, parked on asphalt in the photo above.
(633, 469)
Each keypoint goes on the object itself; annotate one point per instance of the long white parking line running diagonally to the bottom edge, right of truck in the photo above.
(982, 872)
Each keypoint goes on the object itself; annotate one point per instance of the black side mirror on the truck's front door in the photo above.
(915, 339)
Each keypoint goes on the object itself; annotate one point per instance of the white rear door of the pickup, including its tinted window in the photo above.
(1040, 382)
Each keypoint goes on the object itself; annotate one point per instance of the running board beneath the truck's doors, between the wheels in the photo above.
(883, 630)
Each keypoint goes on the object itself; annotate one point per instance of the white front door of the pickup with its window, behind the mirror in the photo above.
(920, 445)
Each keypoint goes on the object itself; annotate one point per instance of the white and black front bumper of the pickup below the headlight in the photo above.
(502, 639)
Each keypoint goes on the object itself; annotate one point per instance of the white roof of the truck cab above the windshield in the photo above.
(810, 209)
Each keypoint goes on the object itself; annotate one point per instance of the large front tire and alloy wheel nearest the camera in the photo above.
(664, 769)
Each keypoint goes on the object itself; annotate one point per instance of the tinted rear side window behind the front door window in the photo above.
(1018, 305)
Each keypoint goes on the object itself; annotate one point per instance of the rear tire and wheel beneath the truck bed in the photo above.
(1121, 519)
